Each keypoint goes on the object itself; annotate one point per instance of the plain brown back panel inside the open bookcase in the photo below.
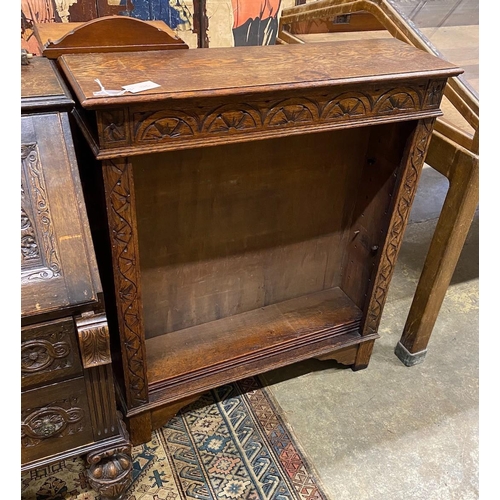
(229, 229)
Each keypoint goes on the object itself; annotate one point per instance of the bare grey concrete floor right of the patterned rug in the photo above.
(391, 432)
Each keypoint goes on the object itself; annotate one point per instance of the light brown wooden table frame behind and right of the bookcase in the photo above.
(453, 151)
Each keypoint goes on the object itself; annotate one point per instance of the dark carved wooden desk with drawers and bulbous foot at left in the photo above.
(68, 404)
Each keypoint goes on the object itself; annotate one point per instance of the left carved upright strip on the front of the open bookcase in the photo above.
(122, 225)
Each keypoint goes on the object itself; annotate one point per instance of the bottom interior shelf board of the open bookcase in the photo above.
(264, 329)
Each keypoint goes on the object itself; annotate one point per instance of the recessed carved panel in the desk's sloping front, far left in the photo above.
(39, 254)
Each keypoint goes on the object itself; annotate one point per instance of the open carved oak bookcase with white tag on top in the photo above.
(248, 213)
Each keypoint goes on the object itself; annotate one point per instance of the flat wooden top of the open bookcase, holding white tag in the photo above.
(201, 73)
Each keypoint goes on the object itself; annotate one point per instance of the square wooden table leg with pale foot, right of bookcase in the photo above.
(462, 169)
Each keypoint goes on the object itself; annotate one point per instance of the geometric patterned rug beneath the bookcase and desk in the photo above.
(231, 444)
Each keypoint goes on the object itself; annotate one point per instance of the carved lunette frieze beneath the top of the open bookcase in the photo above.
(193, 121)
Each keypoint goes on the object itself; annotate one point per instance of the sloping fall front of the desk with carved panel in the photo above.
(53, 274)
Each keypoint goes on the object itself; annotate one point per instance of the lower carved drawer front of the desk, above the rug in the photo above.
(54, 419)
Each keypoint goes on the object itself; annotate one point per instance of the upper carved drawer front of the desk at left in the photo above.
(49, 352)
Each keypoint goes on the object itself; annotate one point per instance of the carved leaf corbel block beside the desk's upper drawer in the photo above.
(93, 336)
